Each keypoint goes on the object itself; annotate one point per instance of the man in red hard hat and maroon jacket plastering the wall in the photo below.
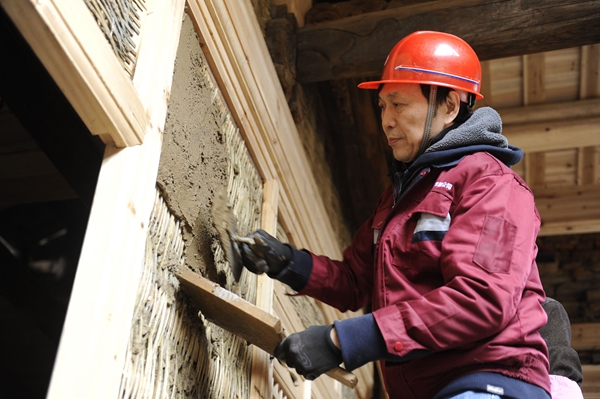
(447, 260)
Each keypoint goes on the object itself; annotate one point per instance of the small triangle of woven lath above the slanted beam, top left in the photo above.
(120, 22)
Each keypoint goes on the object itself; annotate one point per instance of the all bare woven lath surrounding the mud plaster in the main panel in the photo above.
(173, 352)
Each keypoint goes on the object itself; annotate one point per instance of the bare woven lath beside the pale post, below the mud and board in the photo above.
(174, 352)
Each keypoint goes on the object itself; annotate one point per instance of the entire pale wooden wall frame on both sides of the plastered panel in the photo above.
(131, 113)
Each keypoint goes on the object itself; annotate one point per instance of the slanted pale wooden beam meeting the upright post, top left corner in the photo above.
(83, 65)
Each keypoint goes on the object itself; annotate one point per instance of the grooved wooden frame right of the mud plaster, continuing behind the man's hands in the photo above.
(237, 54)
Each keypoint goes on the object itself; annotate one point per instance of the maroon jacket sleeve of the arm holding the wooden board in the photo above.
(487, 263)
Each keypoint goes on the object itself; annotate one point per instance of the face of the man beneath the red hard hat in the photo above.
(403, 115)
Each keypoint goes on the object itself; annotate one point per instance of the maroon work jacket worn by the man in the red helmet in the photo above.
(453, 272)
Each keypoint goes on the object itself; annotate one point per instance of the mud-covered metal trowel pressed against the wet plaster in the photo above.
(226, 226)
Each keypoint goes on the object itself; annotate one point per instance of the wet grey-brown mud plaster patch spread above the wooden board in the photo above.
(193, 161)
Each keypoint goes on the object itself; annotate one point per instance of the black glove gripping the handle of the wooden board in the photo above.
(311, 352)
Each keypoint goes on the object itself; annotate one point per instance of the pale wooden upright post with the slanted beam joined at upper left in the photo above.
(96, 331)
